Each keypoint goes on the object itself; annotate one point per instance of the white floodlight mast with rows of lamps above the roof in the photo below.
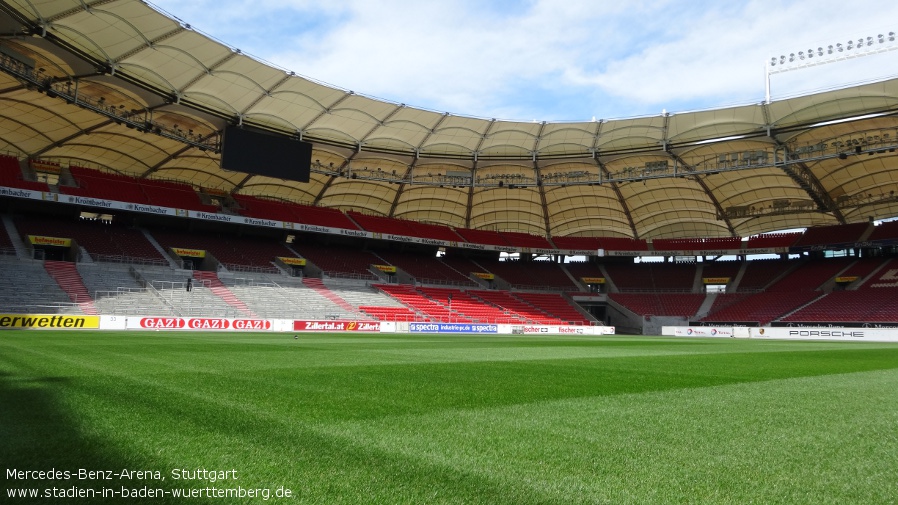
(854, 48)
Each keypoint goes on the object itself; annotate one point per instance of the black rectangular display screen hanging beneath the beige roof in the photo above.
(256, 152)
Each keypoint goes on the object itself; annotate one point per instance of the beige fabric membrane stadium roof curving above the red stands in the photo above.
(117, 85)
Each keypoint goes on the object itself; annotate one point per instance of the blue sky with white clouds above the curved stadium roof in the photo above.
(552, 60)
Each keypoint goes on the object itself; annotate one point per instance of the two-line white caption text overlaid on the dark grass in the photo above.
(56, 484)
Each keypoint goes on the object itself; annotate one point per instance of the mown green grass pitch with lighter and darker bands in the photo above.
(384, 419)
